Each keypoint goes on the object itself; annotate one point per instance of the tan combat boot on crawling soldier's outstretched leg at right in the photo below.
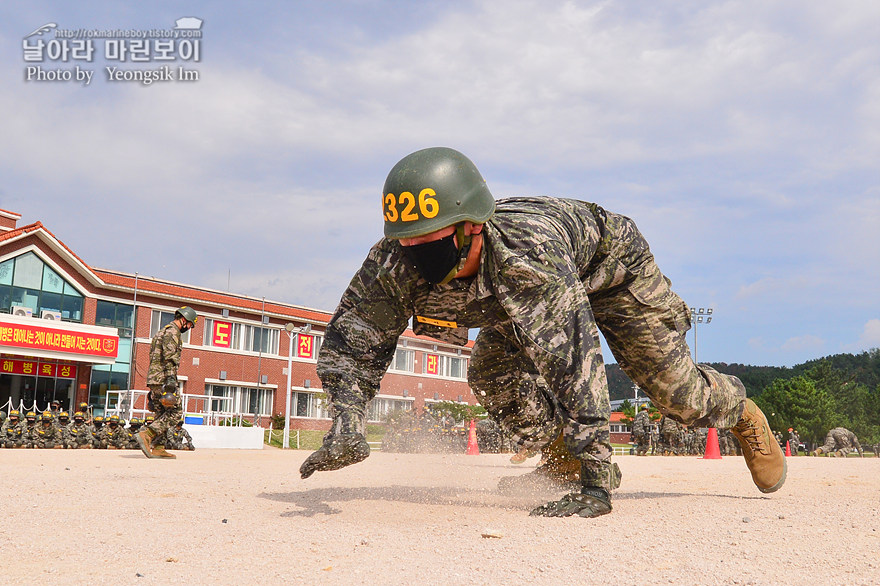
(763, 455)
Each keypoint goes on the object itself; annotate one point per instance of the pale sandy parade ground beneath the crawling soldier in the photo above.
(232, 517)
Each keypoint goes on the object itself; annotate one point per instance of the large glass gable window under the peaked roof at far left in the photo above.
(27, 282)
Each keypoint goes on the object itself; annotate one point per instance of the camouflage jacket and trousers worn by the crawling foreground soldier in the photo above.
(553, 272)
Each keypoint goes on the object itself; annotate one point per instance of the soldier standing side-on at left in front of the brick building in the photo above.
(164, 398)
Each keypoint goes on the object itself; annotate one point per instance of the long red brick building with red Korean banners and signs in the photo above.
(75, 333)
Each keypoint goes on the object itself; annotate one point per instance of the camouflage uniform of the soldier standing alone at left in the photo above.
(165, 350)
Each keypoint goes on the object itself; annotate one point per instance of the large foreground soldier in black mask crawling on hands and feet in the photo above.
(540, 277)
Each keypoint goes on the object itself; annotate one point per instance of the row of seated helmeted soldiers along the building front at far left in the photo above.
(102, 433)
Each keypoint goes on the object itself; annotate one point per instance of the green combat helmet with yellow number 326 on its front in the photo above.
(431, 189)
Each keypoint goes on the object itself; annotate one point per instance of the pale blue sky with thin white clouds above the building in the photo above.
(742, 137)
